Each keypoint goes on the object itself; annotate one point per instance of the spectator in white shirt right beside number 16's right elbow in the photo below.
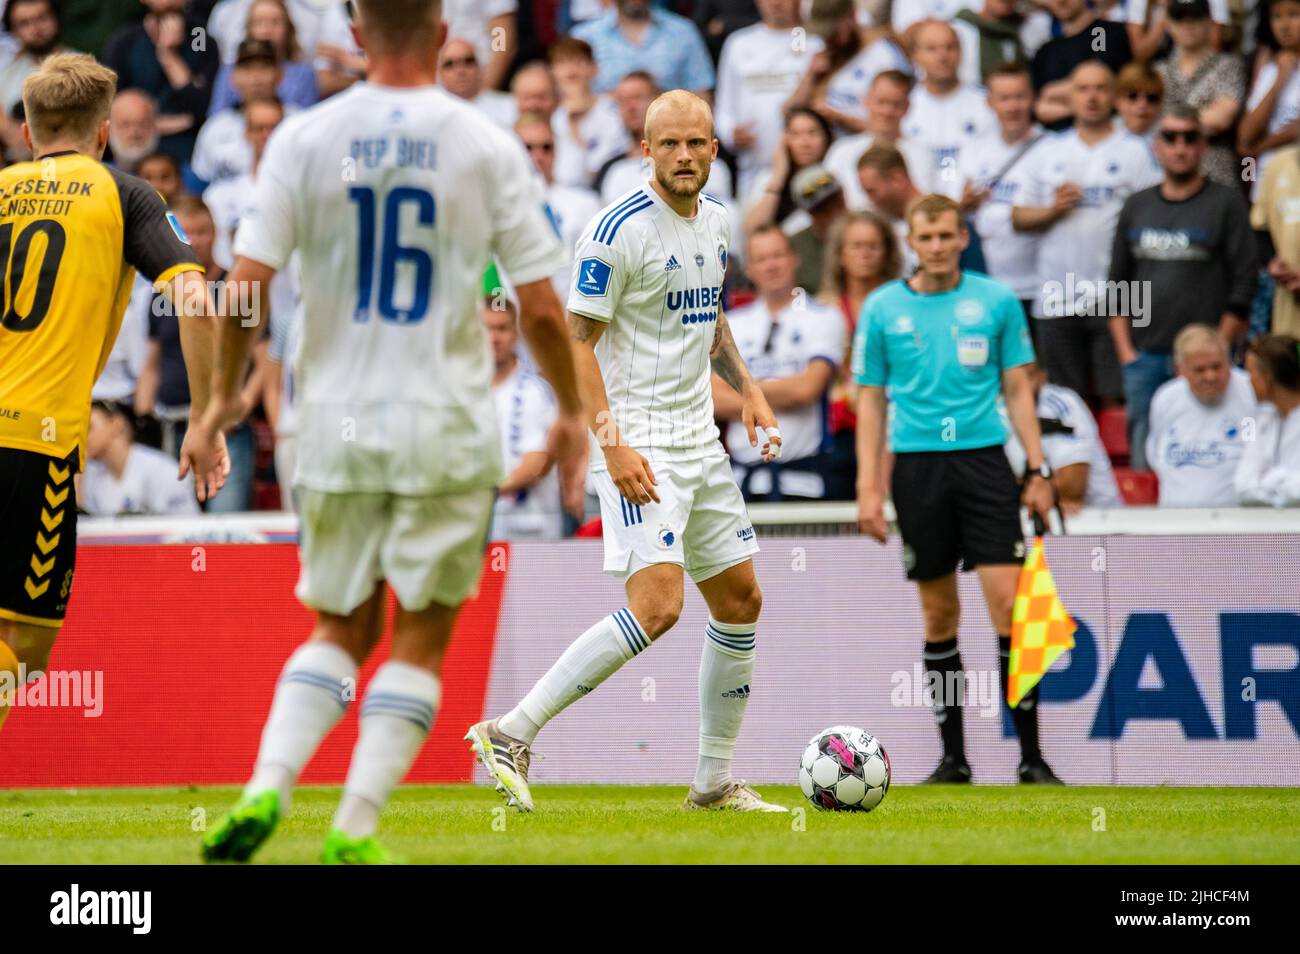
(528, 500)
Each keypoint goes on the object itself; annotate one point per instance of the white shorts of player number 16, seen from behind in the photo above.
(430, 549)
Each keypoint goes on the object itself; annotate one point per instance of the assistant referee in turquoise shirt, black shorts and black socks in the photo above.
(942, 346)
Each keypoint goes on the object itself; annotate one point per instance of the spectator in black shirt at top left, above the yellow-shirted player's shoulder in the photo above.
(159, 58)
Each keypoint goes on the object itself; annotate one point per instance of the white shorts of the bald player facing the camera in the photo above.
(700, 523)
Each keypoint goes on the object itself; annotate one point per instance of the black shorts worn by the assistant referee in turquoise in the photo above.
(957, 508)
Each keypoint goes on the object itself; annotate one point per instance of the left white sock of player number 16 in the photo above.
(314, 691)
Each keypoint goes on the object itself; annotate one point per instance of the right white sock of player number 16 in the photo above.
(397, 714)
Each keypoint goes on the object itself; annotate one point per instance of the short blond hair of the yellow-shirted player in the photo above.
(68, 98)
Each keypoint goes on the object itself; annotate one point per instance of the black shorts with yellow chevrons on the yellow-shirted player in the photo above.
(38, 536)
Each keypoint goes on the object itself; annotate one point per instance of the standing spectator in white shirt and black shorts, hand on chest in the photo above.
(1073, 187)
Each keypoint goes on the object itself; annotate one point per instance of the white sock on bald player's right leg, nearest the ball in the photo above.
(726, 670)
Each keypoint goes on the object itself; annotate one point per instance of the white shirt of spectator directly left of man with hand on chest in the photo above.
(1011, 255)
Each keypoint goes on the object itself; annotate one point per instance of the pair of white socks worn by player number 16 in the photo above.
(311, 697)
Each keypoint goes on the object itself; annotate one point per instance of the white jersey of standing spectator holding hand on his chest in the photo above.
(1074, 254)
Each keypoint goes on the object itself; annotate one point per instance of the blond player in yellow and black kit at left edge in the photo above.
(73, 233)
